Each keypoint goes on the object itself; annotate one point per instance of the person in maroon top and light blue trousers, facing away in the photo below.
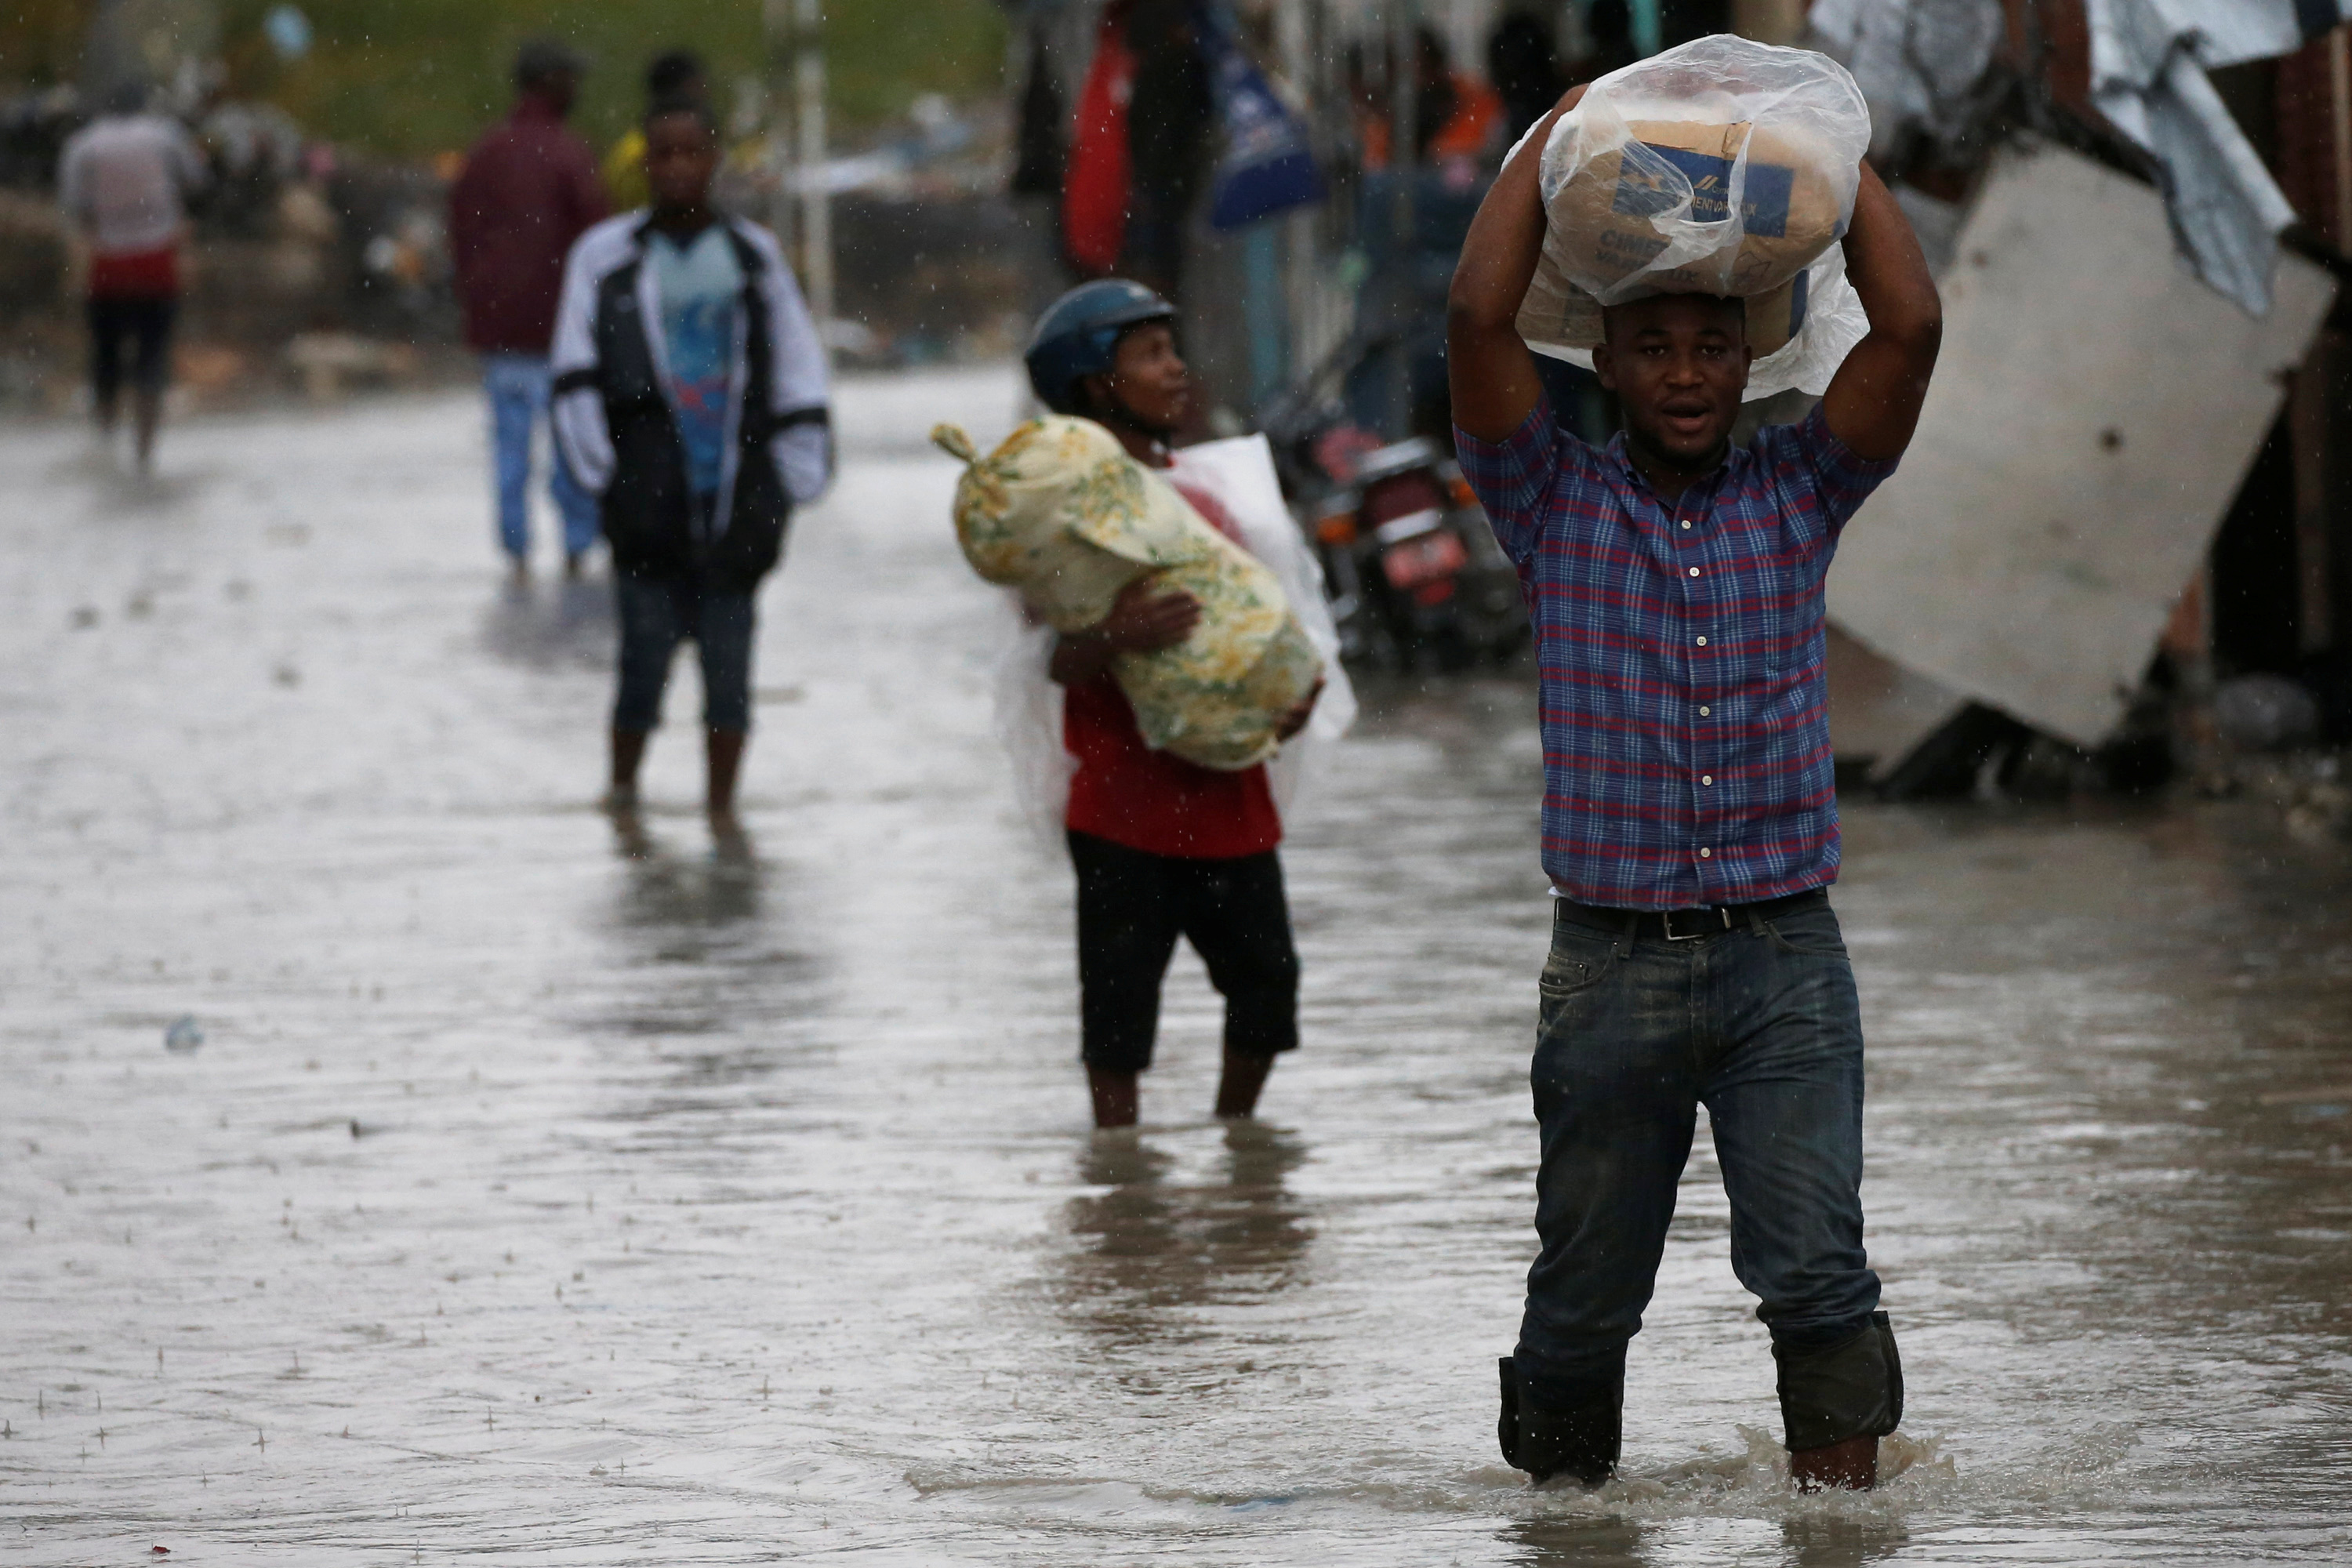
(528, 192)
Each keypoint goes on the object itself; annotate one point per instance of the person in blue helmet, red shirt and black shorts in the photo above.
(1163, 847)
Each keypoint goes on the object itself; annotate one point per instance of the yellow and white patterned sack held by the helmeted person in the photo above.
(1067, 518)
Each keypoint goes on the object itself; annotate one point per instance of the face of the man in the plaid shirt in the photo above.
(1678, 366)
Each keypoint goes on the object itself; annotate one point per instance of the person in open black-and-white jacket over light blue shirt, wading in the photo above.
(690, 398)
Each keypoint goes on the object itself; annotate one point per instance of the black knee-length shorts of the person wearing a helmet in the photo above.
(1132, 906)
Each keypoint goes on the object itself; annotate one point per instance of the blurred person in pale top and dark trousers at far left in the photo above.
(123, 185)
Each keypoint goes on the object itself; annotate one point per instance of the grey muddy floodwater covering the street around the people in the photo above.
(556, 1195)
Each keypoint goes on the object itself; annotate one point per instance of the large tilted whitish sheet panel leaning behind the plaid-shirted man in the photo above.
(2092, 417)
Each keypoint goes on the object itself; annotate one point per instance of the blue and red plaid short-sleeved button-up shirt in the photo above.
(1685, 709)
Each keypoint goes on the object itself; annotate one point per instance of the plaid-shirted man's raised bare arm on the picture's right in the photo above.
(1873, 403)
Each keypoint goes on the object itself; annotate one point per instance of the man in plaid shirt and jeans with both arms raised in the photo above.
(1690, 826)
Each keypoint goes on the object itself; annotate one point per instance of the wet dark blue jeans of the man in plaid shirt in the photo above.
(1760, 1026)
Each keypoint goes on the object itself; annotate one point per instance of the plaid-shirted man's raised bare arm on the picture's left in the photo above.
(1488, 366)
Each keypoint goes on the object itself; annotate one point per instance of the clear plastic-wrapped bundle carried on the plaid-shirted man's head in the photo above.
(1716, 168)
